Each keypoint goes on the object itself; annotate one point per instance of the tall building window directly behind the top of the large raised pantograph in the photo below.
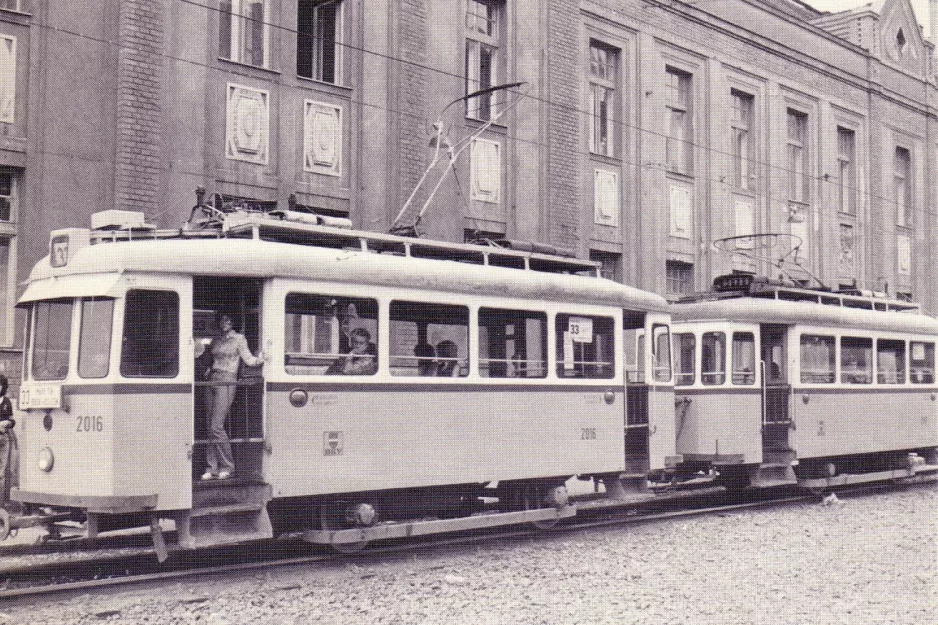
(483, 58)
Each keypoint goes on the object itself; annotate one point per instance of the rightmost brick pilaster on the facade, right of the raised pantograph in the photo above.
(564, 78)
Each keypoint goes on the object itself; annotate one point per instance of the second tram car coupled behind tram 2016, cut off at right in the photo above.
(782, 385)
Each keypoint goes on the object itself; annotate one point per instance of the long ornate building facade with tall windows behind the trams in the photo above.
(637, 132)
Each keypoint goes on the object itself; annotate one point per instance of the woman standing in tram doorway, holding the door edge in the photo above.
(228, 349)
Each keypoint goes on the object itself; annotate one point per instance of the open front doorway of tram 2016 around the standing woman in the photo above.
(241, 299)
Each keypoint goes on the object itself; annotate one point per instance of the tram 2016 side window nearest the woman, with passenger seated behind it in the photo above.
(319, 333)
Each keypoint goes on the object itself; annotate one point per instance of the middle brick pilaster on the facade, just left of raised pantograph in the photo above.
(411, 103)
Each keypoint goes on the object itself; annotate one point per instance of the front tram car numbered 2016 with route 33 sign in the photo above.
(538, 385)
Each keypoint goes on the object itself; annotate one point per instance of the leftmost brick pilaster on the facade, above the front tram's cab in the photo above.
(139, 109)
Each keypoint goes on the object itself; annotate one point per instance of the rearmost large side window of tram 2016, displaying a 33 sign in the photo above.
(585, 346)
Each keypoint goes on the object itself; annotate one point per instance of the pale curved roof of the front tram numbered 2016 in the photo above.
(255, 258)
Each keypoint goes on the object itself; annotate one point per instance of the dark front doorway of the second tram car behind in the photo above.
(776, 389)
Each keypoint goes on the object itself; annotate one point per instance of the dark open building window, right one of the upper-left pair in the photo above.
(318, 35)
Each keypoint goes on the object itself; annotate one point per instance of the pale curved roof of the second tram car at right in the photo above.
(774, 311)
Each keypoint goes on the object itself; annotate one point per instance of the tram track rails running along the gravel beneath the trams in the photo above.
(106, 574)
